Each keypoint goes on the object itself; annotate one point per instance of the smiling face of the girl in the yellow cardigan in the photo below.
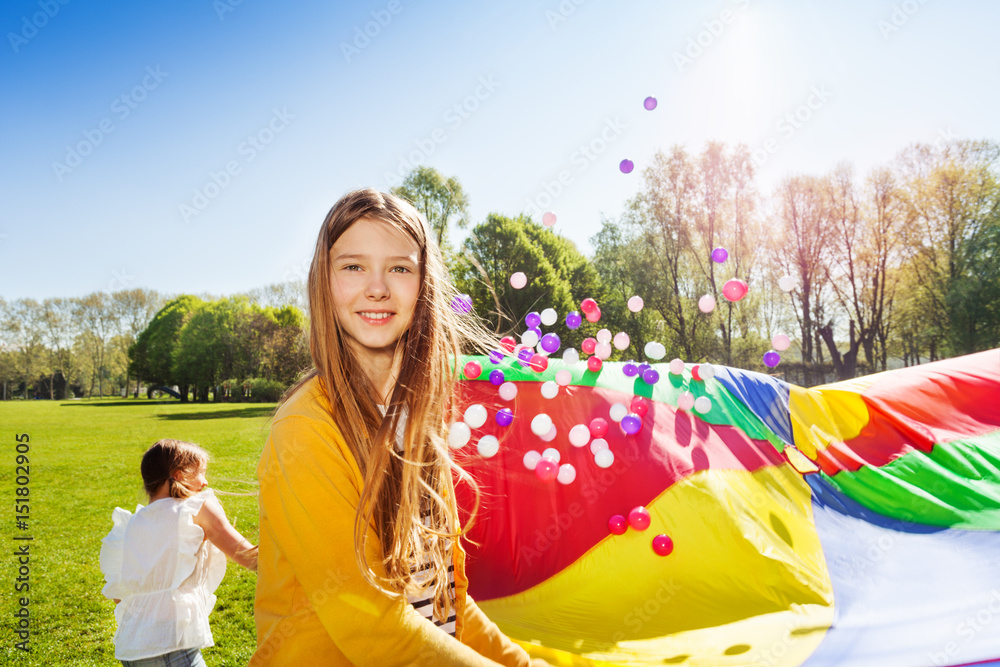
(375, 278)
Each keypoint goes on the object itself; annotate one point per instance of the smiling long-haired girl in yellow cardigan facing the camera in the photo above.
(360, 555)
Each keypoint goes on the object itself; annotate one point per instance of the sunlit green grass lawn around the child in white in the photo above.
(84, 461)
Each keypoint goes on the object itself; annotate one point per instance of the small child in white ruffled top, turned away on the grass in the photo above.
(163, 563)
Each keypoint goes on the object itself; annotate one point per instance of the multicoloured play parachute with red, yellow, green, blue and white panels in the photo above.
(855, 523)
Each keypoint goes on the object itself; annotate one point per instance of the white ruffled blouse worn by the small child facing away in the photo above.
(164, 571)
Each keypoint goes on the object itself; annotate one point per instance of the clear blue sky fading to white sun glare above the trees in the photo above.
(196, 148)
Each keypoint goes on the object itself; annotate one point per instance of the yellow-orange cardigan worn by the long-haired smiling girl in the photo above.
(313, 606)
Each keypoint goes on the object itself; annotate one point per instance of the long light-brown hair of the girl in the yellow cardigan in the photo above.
(408, 497)
